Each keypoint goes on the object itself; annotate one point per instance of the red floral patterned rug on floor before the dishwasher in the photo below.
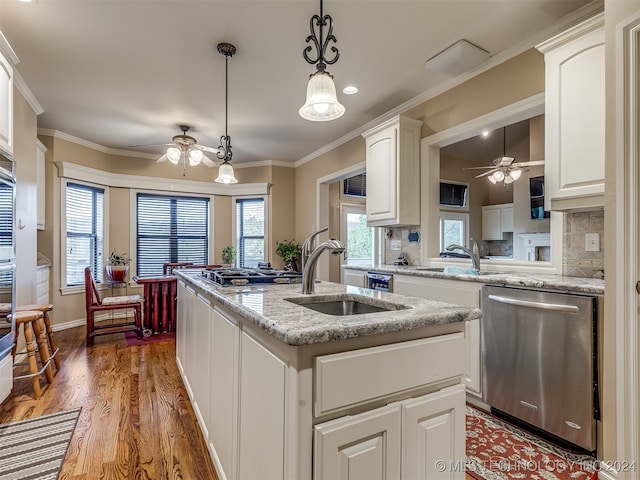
(497, 450)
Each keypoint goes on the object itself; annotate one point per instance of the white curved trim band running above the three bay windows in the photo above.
(137, 182)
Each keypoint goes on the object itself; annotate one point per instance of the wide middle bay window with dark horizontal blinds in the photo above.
(170, 229)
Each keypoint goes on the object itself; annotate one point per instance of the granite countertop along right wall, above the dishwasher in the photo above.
(514, 279)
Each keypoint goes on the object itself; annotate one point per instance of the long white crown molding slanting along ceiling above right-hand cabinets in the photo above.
(590, 10)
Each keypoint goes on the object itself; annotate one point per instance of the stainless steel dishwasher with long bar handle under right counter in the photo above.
(540, 360)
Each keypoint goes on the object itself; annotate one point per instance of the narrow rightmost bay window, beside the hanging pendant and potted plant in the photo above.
(250, 231)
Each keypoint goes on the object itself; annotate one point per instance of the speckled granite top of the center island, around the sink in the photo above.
(267, 307)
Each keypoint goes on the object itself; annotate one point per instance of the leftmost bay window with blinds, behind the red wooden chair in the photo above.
(85, 232)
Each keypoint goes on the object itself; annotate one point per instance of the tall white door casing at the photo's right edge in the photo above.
(627, 221)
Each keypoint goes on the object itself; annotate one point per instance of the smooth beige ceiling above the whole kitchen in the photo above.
(123, 73)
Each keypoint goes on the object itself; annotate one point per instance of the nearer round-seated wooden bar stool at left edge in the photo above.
(33, 326)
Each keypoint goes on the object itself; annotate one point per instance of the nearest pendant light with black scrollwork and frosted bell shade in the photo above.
(322, 103)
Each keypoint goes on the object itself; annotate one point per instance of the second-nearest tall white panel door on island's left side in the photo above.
(223, 434)
